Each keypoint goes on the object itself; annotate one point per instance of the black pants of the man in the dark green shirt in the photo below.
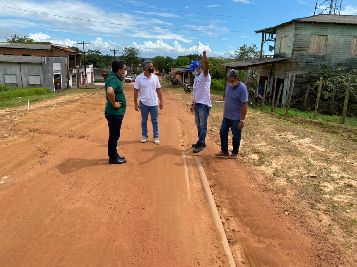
(114, 125)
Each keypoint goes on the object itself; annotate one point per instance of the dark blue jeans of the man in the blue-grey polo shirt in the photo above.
(237, 133)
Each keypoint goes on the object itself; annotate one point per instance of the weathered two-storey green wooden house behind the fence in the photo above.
(300, 47)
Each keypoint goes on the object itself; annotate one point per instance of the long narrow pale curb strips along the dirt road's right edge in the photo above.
(213, 208)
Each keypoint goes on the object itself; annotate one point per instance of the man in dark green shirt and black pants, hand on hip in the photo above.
(115, 109)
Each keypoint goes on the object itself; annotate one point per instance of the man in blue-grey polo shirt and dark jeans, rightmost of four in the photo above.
(235, 111)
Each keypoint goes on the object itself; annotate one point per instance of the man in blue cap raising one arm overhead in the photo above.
(201, 104)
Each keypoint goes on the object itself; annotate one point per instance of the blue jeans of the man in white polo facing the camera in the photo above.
(154, 114)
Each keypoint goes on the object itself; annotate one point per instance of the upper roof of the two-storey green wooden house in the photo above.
(323, 18)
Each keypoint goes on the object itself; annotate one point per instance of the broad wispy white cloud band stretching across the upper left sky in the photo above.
(89, 19)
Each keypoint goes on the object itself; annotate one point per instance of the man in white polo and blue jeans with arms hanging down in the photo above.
(149, 86)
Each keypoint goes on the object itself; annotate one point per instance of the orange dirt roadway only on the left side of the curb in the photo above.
(61, 204)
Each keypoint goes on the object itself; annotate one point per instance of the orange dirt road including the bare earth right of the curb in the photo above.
(62, 204)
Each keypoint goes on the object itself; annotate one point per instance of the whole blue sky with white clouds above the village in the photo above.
(157, 27)
